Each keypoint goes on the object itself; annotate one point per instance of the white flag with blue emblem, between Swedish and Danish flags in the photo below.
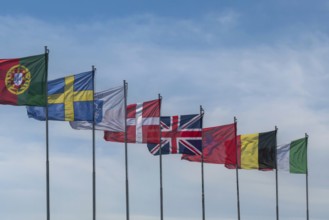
(109, 111)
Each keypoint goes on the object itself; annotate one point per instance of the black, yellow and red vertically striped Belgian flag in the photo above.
(256, 151)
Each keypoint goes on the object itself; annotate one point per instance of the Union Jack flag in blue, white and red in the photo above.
(179, 135)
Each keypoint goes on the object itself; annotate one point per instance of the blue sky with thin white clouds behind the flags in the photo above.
(265, 62)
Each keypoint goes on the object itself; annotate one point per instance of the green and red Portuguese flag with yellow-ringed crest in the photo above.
(23, 81)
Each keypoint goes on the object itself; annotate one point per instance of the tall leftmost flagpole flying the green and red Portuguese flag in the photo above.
(47, 138)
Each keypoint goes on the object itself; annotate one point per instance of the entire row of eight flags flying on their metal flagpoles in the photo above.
(72, 98)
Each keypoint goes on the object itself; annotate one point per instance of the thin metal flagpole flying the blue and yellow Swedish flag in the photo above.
(94, 158)
